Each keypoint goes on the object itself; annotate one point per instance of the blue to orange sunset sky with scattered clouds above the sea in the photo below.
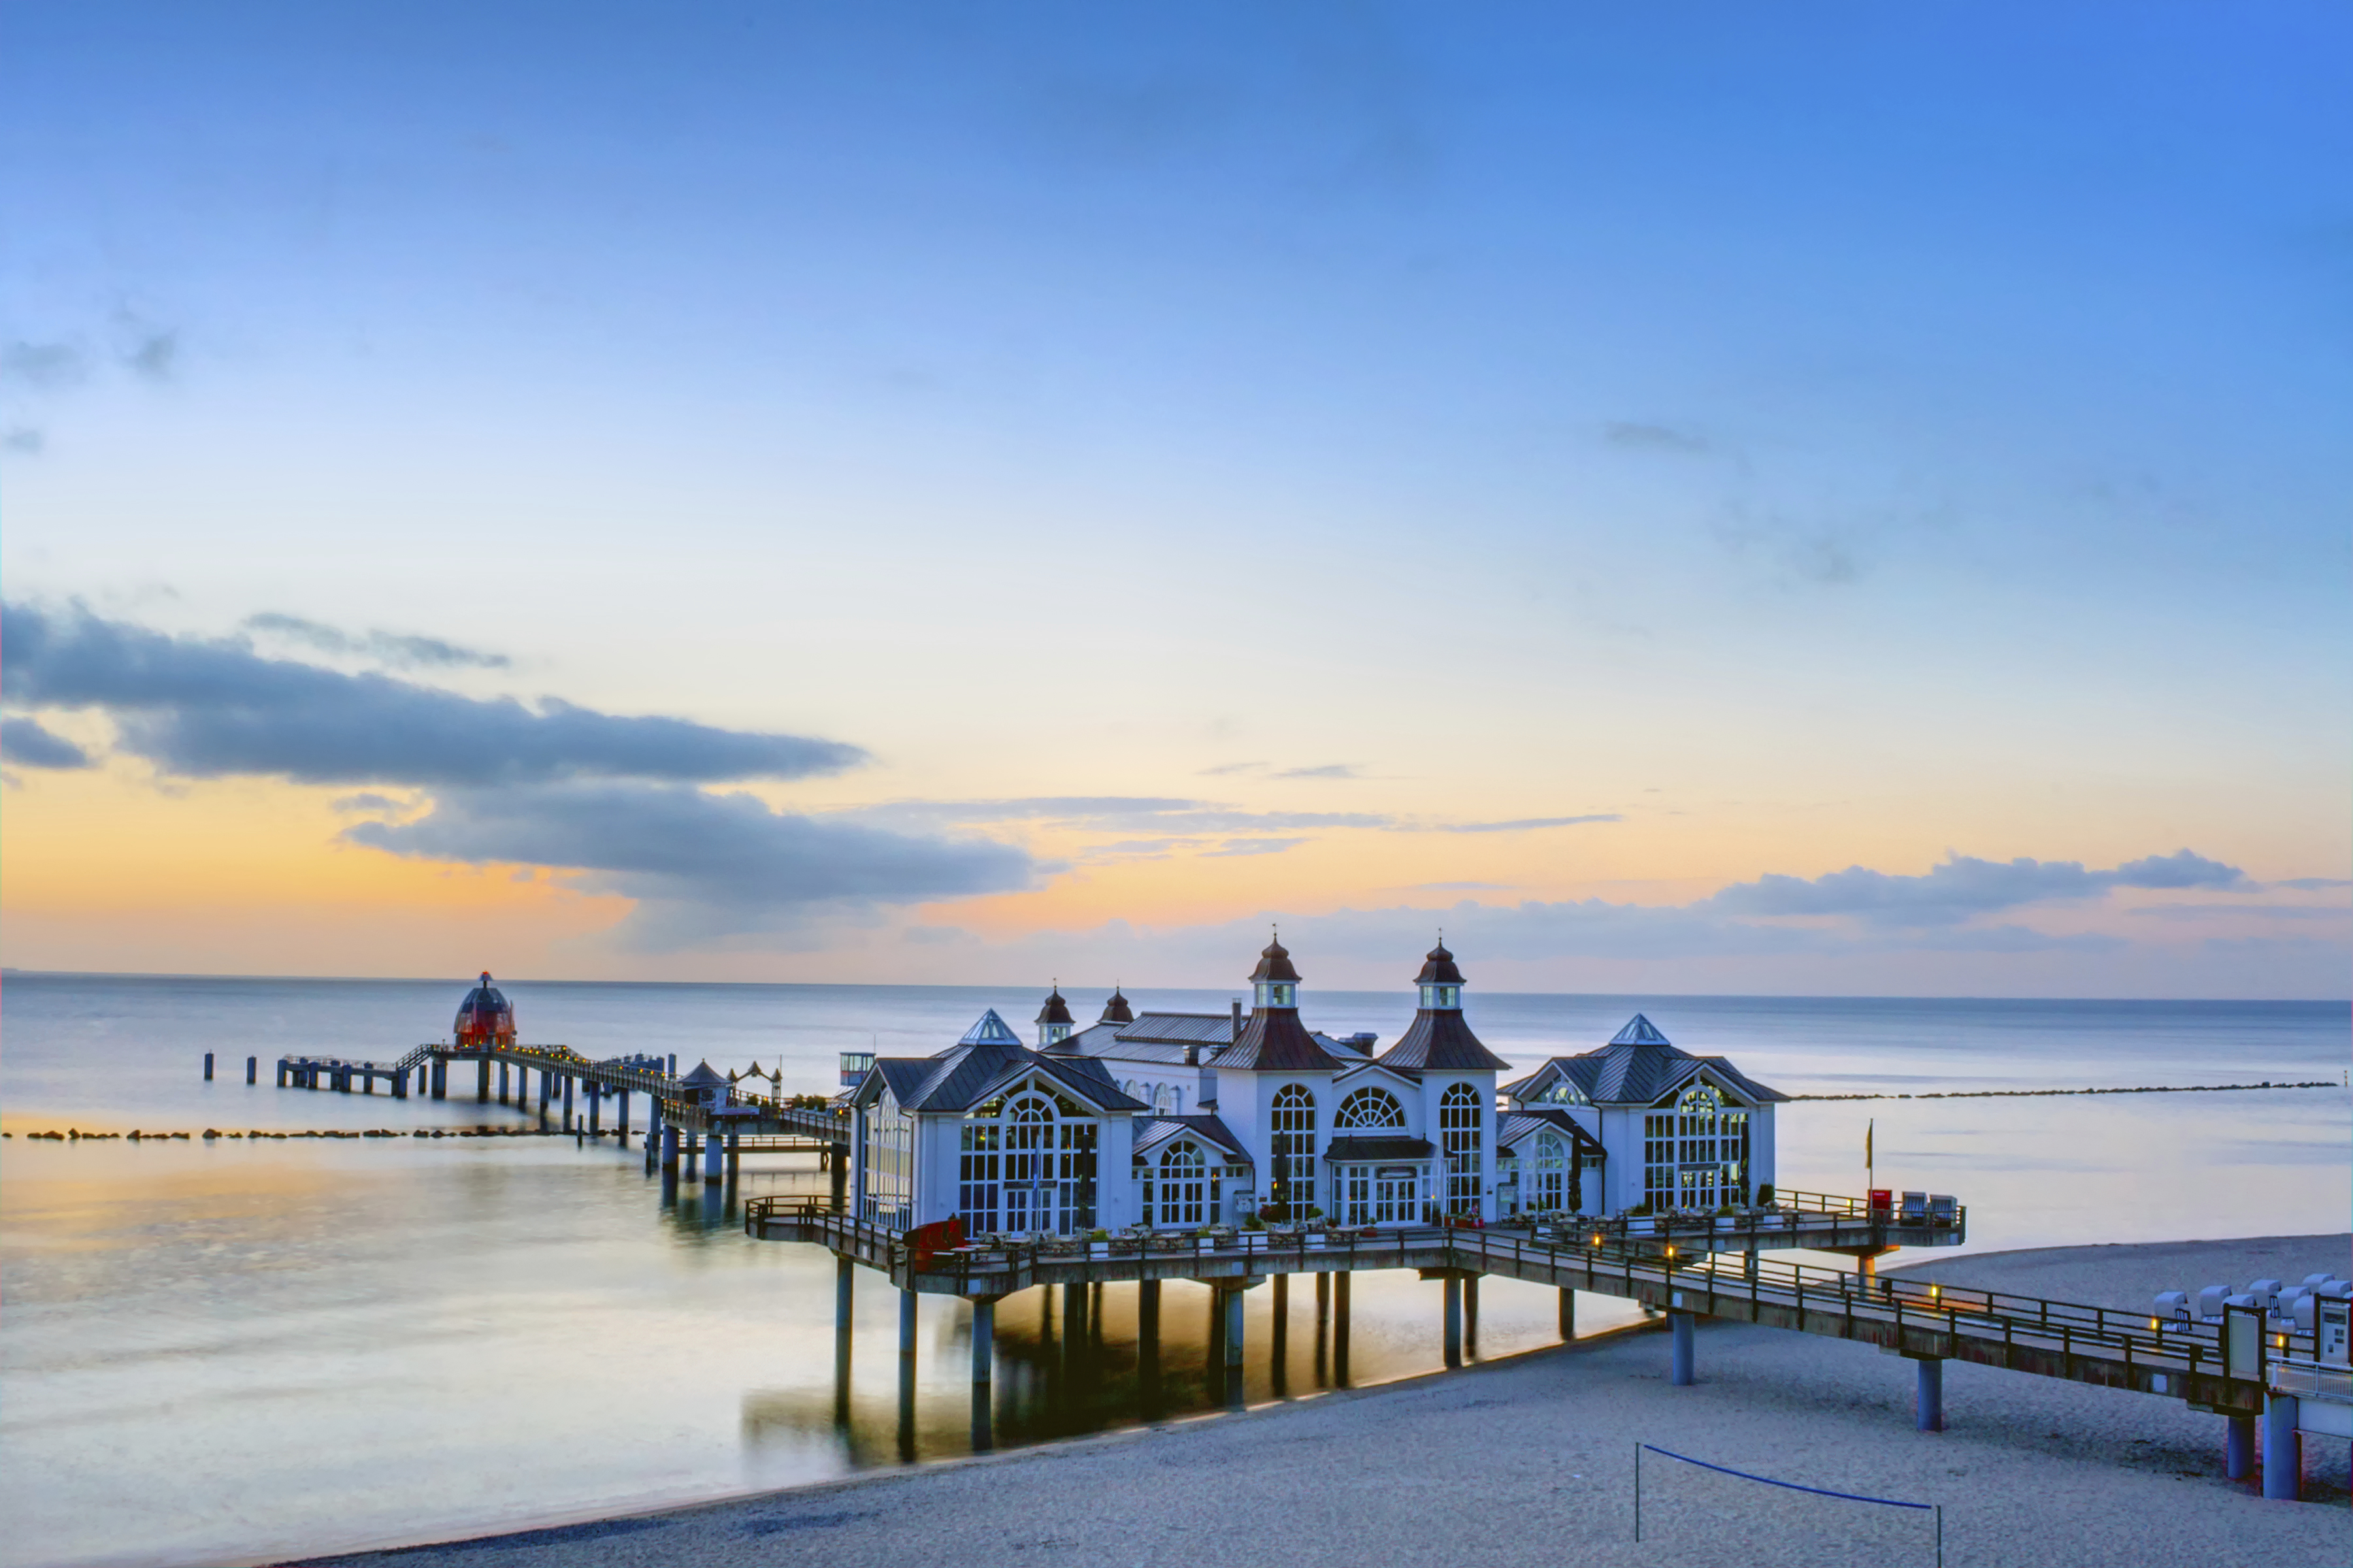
(1709, 498)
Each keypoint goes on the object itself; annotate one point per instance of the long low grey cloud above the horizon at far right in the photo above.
(1959, 889)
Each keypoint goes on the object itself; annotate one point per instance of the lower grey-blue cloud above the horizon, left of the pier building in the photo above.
(702, 868)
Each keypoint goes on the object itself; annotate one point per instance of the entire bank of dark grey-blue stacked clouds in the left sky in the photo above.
(549, 785)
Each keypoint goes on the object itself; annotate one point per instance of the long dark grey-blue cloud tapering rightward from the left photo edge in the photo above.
(215, 710)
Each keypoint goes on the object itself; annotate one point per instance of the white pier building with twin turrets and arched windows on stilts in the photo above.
(1201, 1119)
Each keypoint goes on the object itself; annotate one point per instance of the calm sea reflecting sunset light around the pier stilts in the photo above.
(241, 1353)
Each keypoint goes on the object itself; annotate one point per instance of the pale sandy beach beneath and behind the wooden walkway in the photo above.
(1531, 1461)
